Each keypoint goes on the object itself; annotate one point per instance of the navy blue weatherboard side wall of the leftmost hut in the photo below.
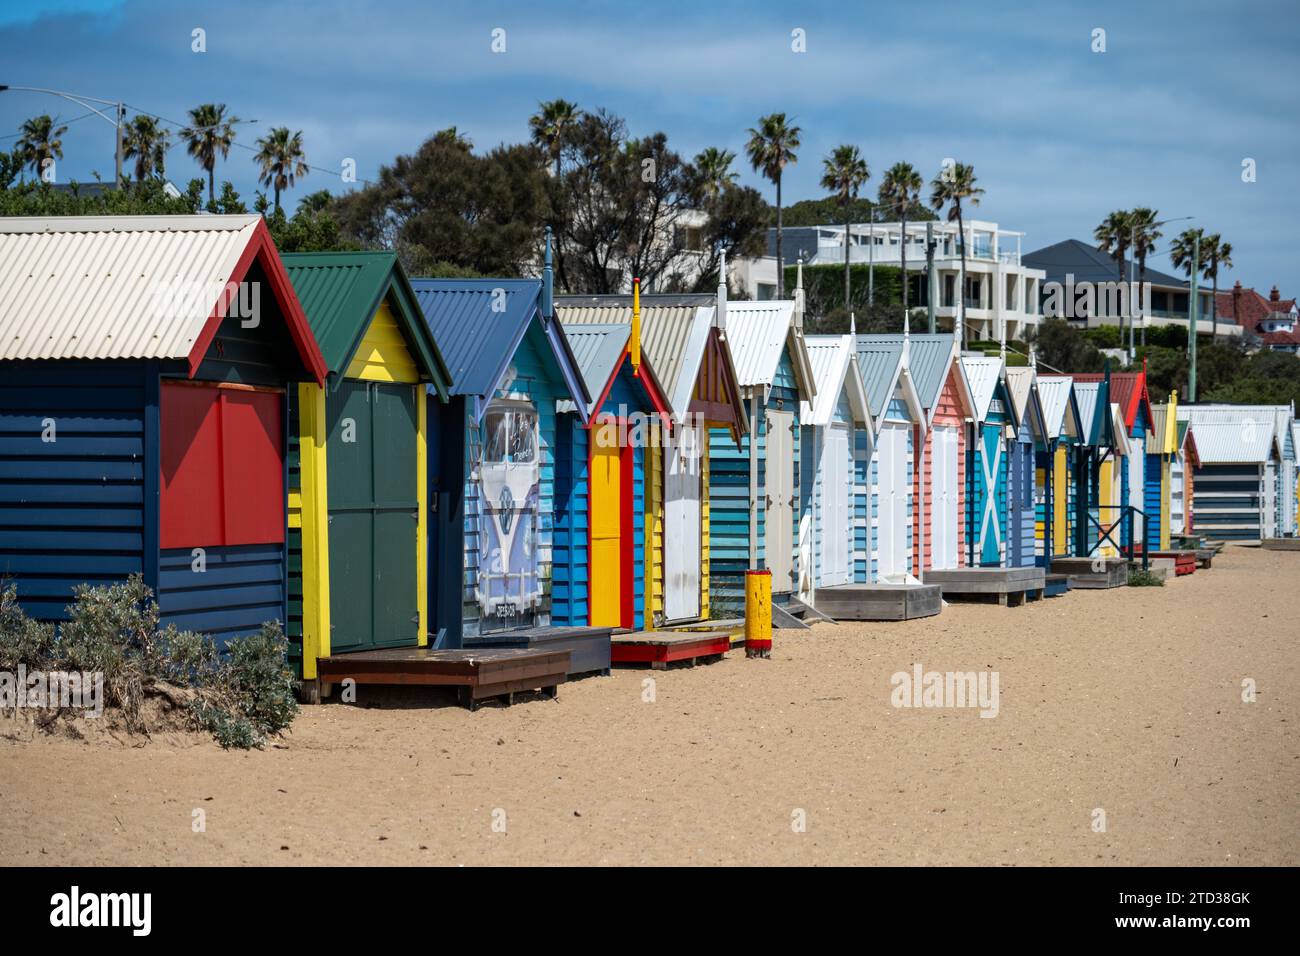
(75, 511)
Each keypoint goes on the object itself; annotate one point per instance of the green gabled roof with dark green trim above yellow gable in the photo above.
(341, 293)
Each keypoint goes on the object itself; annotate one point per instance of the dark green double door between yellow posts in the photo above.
(372, 516)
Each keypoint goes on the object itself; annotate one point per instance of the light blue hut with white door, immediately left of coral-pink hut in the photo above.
(886, 538)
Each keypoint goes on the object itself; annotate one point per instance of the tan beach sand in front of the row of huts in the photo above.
(1128, 702)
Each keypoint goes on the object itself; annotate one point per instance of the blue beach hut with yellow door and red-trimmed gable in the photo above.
(608, 452)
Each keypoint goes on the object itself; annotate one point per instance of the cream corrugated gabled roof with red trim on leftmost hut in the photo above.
(135, 287)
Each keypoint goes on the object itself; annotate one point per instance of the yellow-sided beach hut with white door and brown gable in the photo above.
(684, 340)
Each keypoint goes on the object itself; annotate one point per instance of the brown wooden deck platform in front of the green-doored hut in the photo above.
(476, 674)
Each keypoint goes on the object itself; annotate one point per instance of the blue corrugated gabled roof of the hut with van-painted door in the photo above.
(479, 326)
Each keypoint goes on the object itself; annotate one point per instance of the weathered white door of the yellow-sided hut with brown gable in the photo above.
(682, 526)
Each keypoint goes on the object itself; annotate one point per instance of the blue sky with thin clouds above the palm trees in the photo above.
(1059, 132)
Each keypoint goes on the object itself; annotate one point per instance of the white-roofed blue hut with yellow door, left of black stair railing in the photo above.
(1055, 488)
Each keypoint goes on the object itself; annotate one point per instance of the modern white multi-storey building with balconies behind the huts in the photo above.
(999, 287)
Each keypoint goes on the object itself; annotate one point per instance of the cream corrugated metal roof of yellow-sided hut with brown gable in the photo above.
(674, 334)
